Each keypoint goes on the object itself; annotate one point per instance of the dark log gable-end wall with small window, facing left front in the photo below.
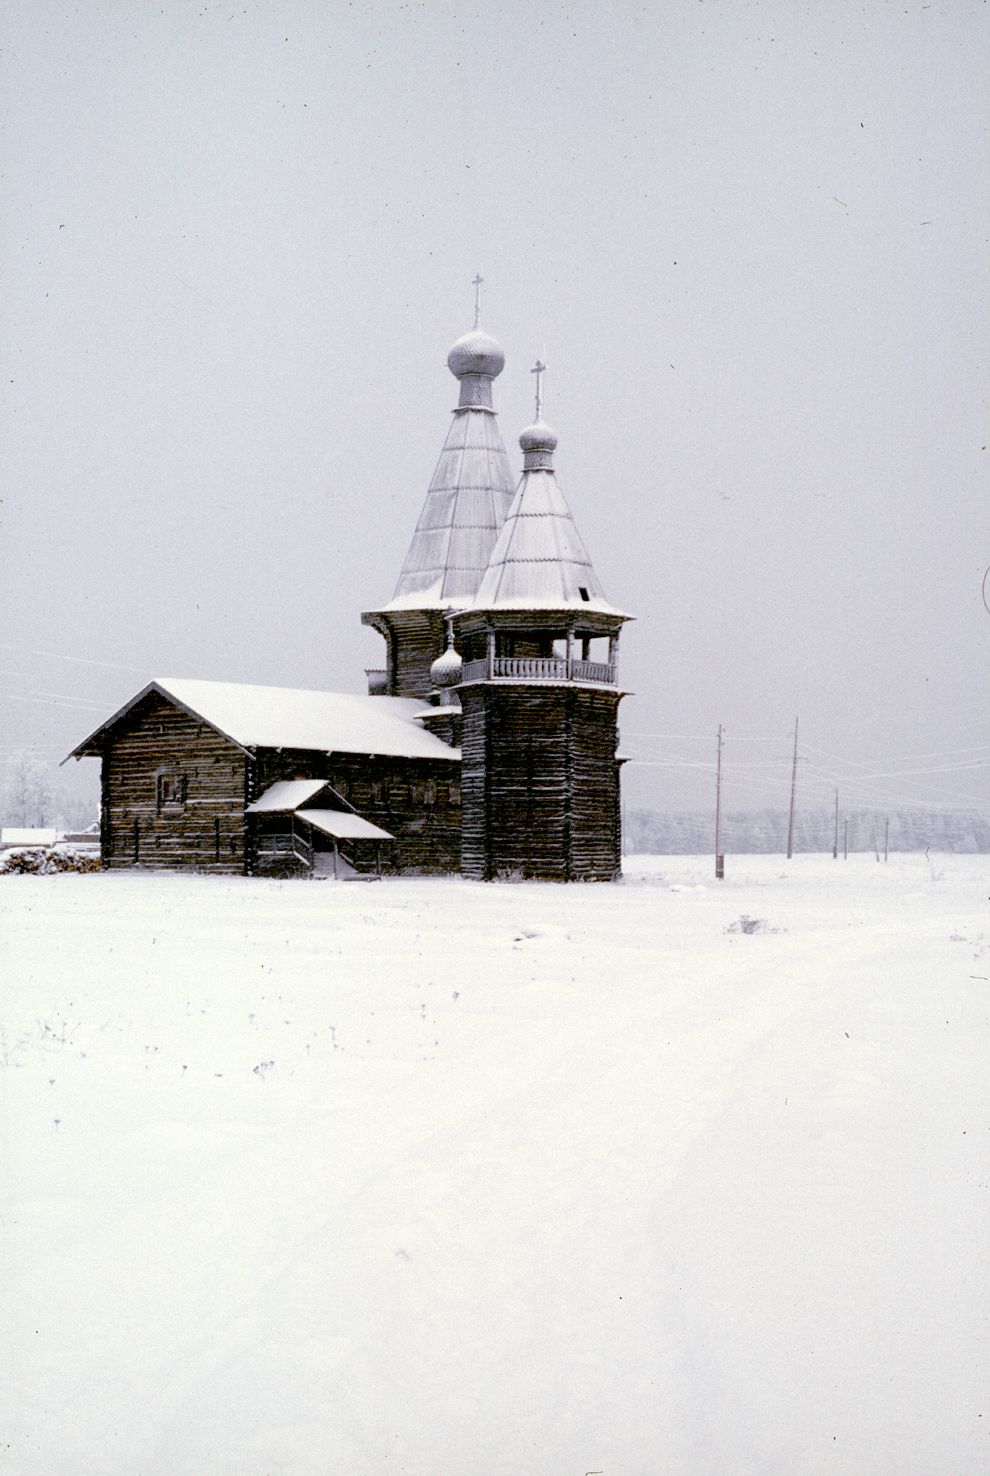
(154, 746)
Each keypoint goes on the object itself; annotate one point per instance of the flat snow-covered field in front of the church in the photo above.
(460, 1180)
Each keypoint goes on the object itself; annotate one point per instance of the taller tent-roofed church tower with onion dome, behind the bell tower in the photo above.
(465, 507)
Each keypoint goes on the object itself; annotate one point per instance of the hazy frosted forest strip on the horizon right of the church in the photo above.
(691, 833)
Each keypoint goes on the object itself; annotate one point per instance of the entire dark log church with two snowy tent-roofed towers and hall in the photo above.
(486, 745)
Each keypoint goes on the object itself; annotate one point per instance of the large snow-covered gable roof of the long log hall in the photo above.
(290, 718)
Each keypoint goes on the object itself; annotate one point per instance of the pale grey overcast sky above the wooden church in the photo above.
(750, 240)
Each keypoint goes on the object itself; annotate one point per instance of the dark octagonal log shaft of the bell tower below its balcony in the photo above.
(541, 783)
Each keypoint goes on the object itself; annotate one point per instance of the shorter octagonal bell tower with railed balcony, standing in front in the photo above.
(539, 694)
